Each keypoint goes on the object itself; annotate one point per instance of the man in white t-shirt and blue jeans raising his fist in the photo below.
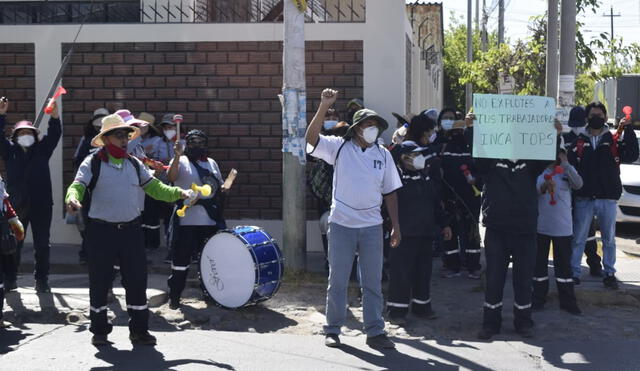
(364, 175)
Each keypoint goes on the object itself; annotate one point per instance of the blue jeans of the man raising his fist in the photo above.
(343, 244)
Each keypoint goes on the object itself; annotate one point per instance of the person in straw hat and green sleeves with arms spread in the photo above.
(114, 230)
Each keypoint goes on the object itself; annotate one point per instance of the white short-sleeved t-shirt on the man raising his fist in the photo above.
(360, 179)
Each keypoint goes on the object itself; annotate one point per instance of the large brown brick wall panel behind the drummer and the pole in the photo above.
(227, 89)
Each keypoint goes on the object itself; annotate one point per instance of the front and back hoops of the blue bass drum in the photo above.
(252, 299)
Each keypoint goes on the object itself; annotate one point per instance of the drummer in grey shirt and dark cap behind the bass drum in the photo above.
(203, 218)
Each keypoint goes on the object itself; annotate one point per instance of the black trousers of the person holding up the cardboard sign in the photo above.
(499, 247)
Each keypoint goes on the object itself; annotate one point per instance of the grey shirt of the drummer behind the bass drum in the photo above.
(187, 175)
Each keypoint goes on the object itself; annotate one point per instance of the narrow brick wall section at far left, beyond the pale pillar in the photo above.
(17, 83)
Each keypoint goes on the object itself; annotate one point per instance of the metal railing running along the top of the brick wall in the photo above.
(173, 11)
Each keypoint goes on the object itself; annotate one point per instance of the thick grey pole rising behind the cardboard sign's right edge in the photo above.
(566, 83)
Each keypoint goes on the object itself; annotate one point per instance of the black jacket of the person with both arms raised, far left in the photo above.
(28, 176)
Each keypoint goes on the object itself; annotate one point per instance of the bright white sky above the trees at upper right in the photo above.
(518, 12)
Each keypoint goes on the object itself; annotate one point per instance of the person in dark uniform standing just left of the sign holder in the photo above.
(461, 196)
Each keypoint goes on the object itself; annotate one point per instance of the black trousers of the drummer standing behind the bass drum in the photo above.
(189, 242)
